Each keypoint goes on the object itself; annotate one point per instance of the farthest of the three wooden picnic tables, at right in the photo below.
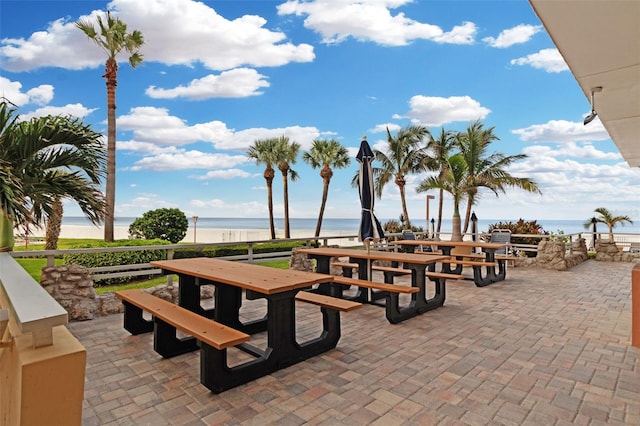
(490, 261)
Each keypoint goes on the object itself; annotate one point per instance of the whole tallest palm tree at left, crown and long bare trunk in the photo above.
(112, 37)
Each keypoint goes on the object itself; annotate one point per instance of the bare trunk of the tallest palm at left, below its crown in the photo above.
(111, 75)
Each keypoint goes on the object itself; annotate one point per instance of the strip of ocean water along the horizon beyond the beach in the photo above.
(348, 224)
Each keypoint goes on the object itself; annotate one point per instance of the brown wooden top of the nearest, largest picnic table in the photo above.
(258, 278)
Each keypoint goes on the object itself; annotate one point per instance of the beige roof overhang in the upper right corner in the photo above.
(600, 42)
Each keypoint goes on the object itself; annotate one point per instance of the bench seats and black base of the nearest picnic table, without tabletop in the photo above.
(214, 338)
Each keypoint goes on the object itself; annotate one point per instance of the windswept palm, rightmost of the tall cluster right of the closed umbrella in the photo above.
(487, 170)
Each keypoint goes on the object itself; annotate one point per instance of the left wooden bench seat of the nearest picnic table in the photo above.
(208, 331)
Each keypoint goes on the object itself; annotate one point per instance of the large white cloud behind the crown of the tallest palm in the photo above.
(176, 32)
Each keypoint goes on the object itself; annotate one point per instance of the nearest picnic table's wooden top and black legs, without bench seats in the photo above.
(279, 287)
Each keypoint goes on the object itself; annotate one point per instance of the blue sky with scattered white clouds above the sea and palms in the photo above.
(219, 75)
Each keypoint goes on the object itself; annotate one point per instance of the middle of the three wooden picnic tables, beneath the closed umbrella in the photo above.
(417, 263)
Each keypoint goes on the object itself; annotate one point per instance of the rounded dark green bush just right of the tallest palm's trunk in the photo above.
(165, 224)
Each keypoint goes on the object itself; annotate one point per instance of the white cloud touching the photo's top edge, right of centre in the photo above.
(337, 20)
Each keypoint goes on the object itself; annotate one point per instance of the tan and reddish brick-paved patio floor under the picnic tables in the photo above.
(541, 348)
